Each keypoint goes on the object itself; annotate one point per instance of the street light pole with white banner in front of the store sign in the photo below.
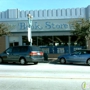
(30, 17)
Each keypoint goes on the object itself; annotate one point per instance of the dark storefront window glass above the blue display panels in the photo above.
(53, 41)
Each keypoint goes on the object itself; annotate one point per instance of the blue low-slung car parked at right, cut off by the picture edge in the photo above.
(79, 56)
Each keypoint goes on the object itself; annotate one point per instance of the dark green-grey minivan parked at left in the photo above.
(22, 54)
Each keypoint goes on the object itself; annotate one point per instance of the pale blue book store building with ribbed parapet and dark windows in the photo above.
(51, 29)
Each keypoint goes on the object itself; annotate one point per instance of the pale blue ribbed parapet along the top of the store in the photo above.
(15, 14)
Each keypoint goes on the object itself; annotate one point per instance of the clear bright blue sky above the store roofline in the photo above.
(42, 4)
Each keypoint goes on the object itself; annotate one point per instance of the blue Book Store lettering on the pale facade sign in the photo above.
(47, 25)
